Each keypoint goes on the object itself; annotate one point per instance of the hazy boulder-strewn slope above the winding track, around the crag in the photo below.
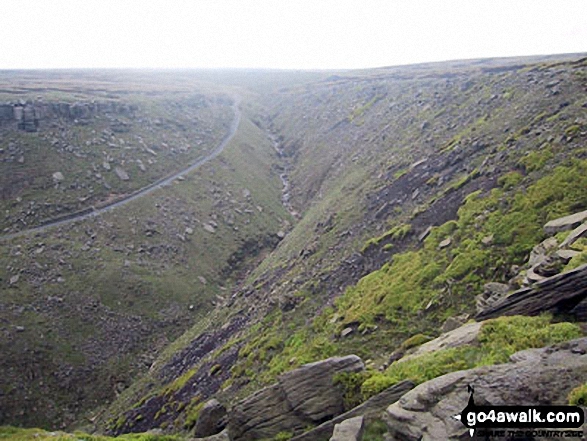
(172, 123)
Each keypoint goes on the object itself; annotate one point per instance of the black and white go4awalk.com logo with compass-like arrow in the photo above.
(522, 421)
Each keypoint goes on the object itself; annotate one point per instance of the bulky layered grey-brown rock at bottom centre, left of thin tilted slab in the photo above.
(301, 397)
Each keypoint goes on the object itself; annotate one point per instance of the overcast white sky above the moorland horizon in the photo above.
(297, 34)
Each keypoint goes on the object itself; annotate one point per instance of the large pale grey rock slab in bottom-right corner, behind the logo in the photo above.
(425, 413)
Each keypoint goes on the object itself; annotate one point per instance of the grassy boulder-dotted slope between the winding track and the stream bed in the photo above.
(102, 297)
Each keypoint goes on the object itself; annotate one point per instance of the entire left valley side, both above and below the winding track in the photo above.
(88, 304)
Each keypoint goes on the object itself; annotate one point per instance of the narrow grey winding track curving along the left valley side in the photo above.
(92, 212)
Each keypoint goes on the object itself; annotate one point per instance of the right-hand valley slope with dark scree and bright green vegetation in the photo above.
(352, 141)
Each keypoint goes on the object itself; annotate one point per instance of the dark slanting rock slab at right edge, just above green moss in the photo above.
(557, 294)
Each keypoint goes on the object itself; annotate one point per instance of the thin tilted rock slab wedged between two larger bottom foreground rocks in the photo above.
(371, 408)
